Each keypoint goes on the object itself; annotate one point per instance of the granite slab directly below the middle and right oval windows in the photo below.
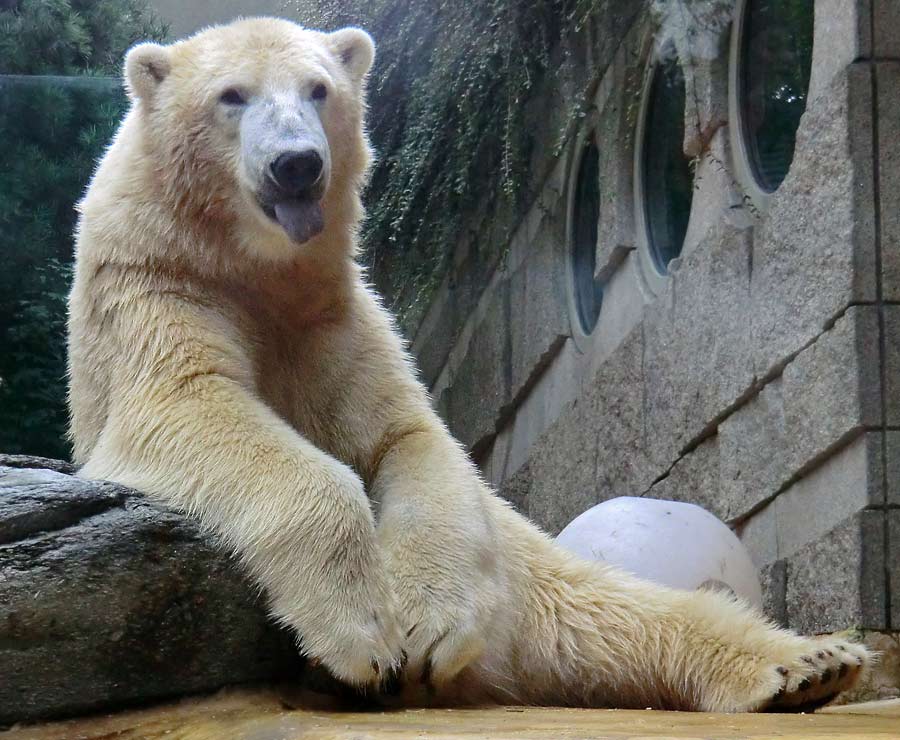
(698, 359)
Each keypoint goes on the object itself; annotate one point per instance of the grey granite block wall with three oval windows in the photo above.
(759, 379)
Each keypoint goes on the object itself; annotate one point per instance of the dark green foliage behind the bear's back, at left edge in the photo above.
(52, 131)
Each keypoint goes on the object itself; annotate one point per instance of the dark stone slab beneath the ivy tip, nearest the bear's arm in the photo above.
(479, 387)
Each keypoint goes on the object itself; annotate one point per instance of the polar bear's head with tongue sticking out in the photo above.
(257, 125)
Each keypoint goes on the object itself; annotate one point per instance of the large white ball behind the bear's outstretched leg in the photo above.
(671, 543)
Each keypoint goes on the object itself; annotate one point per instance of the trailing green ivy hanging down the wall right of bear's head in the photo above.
(448, 101)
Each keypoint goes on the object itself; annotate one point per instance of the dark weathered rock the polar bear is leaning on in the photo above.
(107, 599)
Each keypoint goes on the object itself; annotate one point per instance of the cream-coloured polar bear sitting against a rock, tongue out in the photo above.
(228, 358)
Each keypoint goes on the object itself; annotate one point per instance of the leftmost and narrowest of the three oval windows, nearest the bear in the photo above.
(585, 218)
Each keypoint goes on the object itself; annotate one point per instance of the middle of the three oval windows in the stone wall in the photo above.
(668, 182)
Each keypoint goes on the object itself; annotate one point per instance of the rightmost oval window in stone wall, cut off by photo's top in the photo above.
(775, 61)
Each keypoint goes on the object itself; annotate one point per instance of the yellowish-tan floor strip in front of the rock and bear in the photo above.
(259, 715)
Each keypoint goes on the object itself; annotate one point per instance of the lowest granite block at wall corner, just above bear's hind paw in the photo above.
(837, 581)
